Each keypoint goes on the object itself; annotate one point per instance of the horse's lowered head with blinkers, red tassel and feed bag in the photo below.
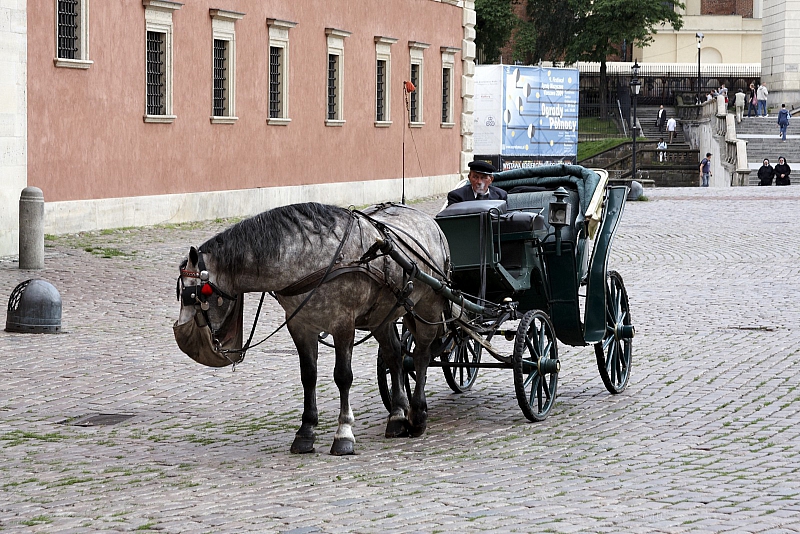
(209, 327)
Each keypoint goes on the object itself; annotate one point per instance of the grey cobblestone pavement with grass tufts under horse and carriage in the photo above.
(704, 439)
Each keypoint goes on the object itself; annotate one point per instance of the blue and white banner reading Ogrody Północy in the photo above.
(540, 114)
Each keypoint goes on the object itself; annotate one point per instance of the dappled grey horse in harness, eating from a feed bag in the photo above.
(315, 249)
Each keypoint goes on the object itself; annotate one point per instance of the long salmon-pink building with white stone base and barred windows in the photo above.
(152, 111)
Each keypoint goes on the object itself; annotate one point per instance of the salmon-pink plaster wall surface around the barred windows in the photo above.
(87, 138)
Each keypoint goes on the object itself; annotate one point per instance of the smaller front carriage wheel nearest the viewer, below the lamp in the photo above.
(536, 365)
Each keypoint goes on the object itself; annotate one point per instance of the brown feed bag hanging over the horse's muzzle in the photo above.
(196, 342)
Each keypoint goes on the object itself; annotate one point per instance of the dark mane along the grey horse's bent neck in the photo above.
(261, 237)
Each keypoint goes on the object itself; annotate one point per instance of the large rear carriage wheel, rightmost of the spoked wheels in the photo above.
(614, 351)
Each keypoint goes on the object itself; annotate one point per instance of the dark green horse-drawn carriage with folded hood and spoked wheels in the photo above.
(540, 258)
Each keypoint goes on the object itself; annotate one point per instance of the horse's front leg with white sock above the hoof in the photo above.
(343, 439)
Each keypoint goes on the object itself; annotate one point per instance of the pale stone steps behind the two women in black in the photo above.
(763, 141)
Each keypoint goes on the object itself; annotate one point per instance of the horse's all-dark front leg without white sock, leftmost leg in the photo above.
(307, 349)
